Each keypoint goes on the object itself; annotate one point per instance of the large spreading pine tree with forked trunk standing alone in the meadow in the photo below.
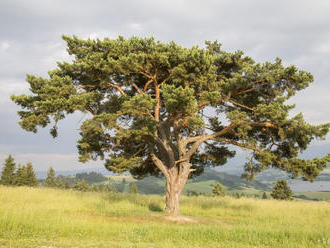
(162, 109)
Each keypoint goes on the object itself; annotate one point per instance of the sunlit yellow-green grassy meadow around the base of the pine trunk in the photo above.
(35, 217)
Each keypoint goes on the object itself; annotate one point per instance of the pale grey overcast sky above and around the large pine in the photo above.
(298, 31)
